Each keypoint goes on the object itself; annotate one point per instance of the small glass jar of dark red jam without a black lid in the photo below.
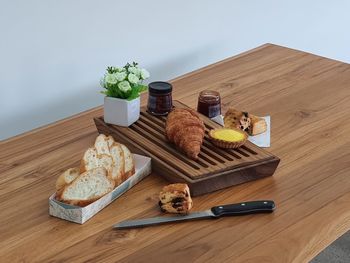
(209, 103)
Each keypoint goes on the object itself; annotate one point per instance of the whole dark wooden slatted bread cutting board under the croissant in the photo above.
(215, 168)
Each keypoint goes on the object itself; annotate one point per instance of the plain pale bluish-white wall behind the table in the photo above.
(53, 53)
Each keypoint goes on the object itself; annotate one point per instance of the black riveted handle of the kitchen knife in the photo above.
(244, 208)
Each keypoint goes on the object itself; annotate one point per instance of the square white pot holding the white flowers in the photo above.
(121, 112)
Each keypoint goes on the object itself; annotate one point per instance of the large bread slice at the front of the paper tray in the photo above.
(87, 187)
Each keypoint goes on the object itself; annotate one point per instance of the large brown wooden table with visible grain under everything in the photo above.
(308, 98)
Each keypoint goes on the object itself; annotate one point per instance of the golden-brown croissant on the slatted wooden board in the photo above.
(186, 130)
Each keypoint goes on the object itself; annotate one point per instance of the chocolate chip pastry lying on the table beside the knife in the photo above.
(175, 198)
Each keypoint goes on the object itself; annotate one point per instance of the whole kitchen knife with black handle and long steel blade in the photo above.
(244, 208)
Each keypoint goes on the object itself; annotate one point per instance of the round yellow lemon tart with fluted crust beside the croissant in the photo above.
(228, 138)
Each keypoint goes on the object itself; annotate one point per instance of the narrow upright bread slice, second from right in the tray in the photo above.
(117, 154)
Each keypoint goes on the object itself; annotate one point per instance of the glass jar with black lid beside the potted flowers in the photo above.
(159, 98)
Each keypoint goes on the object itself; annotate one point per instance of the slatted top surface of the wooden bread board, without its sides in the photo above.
(149, 133)
